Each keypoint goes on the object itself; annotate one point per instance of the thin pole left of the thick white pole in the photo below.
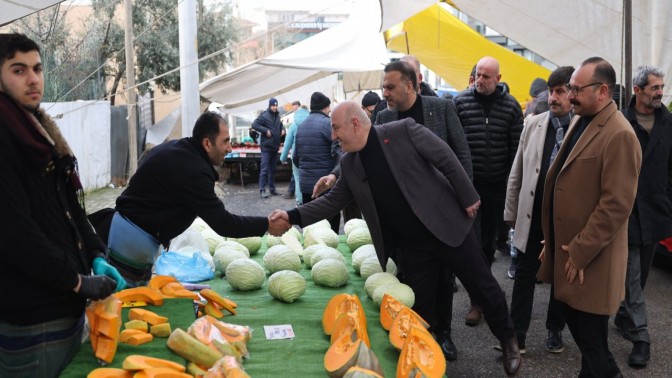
(130, 91)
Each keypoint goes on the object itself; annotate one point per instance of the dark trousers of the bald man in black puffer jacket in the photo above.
(486, 226)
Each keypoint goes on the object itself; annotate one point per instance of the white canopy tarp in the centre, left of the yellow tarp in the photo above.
(356, 48)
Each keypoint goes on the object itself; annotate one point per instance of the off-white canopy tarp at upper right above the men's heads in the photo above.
(568, 32)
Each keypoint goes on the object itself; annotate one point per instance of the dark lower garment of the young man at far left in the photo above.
(41, 350)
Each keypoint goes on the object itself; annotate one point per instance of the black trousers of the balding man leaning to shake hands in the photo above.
(424, 266)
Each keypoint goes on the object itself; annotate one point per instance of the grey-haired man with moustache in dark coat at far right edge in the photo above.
(650, 221)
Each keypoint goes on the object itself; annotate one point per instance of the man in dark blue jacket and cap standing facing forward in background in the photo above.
(270, 128)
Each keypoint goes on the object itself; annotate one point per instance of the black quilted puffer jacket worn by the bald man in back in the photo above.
(492, 133)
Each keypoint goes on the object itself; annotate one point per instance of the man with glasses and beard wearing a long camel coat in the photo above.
(588, 196)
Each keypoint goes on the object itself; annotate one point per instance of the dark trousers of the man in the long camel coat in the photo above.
(590, 331)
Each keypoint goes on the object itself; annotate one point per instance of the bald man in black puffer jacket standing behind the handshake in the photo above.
(492, 120)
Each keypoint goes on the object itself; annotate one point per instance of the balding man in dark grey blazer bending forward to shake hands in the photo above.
(429, 225)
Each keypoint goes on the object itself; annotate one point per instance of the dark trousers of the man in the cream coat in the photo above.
(522, 297)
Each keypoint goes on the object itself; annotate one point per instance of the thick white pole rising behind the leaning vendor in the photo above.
(186, 12)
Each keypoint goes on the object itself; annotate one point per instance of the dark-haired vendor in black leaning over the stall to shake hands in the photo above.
(174, 184)
